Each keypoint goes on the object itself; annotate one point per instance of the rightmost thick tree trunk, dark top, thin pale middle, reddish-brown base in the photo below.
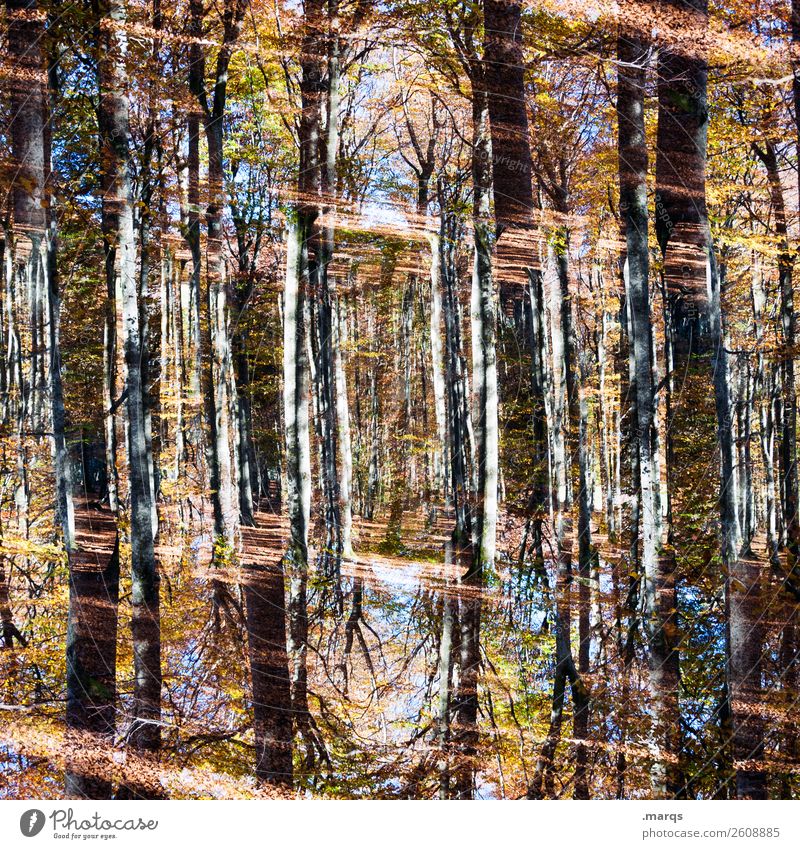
(694, 281)
